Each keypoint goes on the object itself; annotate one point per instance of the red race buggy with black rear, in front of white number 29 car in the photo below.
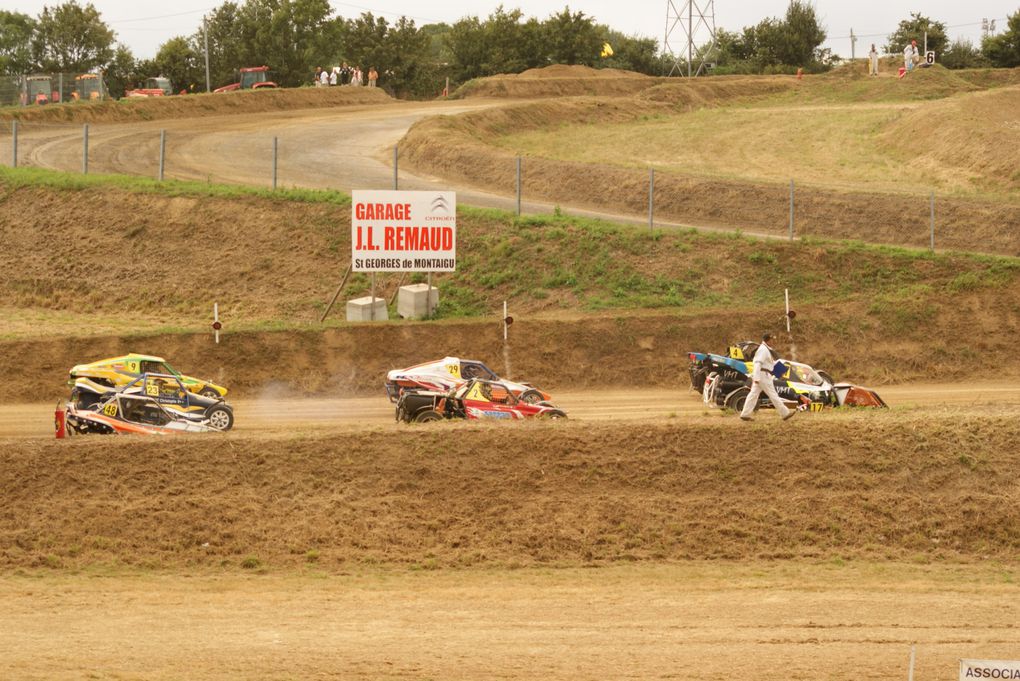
(477, 399)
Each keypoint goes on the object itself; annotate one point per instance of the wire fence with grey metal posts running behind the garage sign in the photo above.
(782, 211)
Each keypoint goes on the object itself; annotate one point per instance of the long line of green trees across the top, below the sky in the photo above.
(293, 37)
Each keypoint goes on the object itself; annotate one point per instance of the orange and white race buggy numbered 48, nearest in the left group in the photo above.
(120, 413)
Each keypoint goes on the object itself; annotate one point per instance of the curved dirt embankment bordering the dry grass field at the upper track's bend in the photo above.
(462, 149)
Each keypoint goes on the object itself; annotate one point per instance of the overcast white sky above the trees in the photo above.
(145, 25)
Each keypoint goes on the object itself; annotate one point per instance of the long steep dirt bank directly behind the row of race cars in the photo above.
(585, 352)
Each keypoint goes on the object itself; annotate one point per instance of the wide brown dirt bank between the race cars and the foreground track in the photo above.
(876, 486)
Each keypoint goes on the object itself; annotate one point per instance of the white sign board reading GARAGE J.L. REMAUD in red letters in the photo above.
(403, 232)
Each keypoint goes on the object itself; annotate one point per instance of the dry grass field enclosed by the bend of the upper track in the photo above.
(964, 146)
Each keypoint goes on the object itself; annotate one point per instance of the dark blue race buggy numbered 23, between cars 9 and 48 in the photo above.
(167, 390)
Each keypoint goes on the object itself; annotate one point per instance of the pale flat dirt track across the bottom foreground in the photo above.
(701, 621)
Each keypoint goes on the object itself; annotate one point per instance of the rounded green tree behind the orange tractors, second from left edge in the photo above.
(72, 38)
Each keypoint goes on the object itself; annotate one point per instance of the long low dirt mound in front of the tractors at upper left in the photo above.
(192, 107)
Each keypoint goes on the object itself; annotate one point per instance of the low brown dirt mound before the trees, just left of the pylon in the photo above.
(559, 81)
